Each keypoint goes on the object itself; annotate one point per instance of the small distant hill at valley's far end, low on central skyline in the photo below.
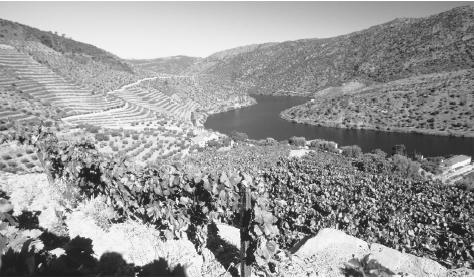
(169, 65)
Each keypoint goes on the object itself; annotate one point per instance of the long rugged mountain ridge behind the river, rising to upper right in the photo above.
(398, 49)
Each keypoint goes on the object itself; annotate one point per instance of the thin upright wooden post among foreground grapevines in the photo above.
(245, 211)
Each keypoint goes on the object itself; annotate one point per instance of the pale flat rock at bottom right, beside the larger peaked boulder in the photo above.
(399, 262)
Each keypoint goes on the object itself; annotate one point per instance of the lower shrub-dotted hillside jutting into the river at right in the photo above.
(440, 103)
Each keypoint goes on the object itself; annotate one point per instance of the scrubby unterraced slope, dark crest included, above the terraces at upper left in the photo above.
(87, 65)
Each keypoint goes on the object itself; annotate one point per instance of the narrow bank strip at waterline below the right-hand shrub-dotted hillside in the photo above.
(286, 116)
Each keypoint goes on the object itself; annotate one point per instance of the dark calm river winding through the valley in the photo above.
(262, 120)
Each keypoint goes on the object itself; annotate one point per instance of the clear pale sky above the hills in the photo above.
(158, 29)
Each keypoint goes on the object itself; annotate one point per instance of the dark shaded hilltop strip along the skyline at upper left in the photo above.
(15, 31)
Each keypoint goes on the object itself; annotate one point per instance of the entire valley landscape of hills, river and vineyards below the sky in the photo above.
(164, 167)
